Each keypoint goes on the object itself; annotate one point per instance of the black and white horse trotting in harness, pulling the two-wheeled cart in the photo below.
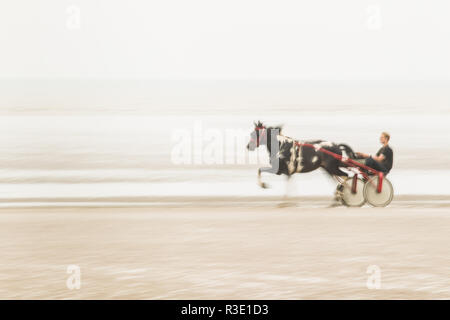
(288, 158)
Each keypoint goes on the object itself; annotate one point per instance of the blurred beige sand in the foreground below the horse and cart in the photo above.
(225, 252)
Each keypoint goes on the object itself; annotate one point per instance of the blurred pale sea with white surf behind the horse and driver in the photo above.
(64, 142)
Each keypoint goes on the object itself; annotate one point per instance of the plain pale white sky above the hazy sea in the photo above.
(320, 39)
